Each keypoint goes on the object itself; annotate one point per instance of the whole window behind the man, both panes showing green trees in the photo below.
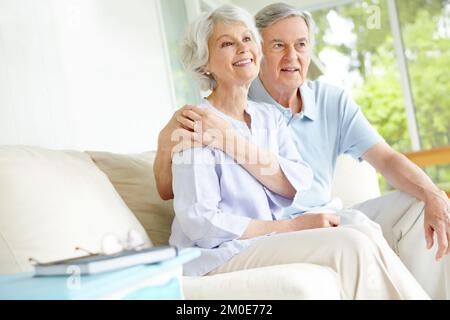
(355, 43)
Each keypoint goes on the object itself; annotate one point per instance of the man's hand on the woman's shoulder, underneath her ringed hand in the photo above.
(176, 136)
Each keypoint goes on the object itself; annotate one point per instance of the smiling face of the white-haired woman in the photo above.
(234, 55)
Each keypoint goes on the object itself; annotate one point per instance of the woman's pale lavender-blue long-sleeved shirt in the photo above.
(215, 198)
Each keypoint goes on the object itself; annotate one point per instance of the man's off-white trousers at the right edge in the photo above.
(401, 218)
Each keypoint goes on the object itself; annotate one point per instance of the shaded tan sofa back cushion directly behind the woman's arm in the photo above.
(132, 176)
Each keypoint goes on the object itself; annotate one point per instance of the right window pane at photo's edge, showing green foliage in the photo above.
(425, 26)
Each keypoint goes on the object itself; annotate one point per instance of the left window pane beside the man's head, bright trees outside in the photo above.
(358, 53)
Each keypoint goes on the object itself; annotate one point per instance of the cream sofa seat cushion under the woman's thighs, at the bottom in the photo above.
(287, 281)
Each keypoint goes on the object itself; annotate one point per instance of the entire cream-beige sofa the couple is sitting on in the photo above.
(53, 201)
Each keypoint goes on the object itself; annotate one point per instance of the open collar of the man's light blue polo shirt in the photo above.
(259, 93)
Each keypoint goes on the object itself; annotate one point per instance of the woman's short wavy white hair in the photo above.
(194, 48)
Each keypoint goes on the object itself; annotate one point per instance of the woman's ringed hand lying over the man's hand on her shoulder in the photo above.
(209, 129)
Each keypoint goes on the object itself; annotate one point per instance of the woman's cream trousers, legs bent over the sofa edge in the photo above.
(365, 264)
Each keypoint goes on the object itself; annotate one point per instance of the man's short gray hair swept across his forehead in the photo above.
(272, 13)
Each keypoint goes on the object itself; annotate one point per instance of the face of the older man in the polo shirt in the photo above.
(286, 54)
